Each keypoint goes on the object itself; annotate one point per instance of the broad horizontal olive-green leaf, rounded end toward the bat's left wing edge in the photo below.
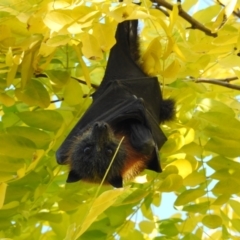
(49, 120)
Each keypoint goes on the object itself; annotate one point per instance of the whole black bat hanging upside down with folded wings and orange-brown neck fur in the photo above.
(127, 103)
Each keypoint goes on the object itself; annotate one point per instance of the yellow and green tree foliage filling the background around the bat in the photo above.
(53, 55)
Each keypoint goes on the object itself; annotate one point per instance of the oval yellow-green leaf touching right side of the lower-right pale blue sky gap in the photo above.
(189, 196)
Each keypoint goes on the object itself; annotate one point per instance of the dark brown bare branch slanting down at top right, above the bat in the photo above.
(194, 23)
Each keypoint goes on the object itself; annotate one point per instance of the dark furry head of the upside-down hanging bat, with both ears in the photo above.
(91, 154)
